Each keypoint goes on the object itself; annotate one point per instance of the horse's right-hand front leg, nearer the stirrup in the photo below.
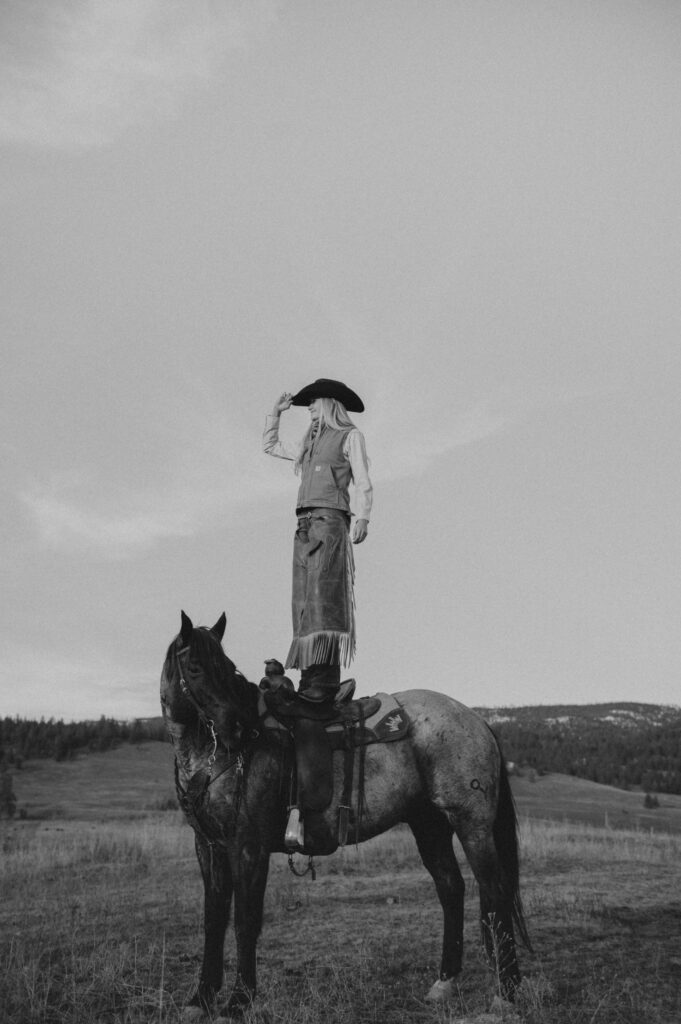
(250, 873)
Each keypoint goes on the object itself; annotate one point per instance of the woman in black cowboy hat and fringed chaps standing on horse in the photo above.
(330, 456)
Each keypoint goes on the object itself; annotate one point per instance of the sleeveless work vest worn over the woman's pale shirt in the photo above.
(326, 474)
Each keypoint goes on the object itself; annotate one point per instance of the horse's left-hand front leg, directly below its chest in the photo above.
(217, 875)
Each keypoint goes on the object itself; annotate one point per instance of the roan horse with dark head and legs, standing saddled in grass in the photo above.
(234, 779)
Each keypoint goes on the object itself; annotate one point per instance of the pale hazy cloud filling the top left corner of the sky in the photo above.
(76, 75)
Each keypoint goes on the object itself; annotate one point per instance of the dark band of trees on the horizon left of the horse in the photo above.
(22, 740)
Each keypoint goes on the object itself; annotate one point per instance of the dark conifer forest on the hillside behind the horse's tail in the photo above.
(645, 754)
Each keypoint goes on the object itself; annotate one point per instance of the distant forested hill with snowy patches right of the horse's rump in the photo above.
(621, 745)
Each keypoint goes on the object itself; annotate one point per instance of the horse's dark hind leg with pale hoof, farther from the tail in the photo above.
(434, 837)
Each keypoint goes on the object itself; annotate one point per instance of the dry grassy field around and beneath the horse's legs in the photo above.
(101, 919)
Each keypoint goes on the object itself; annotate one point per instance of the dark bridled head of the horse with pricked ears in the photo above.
(201, 686)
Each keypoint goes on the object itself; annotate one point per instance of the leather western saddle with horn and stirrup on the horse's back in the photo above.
(318, 731)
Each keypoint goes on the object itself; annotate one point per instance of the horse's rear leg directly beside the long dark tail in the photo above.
(497, 910)
